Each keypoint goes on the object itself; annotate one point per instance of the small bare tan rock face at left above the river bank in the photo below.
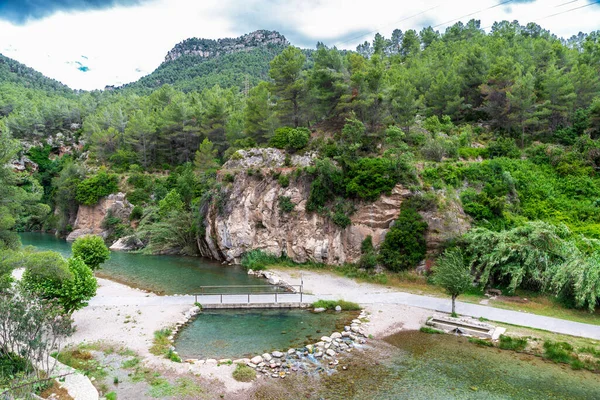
(89, 218)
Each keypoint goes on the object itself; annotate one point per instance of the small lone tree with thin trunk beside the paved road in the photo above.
(453, 273)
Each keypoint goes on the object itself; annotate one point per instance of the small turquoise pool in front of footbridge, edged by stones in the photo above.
(243, 333)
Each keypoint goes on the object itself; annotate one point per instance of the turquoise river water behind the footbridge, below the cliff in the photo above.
(160, 274)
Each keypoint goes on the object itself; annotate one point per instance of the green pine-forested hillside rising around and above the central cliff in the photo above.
(506, 121)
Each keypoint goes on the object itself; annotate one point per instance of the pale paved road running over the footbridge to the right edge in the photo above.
(389, 297)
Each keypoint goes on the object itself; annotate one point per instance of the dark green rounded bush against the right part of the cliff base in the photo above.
(404, 244)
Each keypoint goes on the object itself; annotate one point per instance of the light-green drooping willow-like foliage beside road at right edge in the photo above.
(538, 256)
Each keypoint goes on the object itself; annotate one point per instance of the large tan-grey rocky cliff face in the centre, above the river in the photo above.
(250, 218)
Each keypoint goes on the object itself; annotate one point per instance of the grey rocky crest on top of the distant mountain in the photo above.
(208, 48)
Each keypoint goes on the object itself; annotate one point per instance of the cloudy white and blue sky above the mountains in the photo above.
(88, 44)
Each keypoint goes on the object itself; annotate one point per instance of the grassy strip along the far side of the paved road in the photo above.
(411, 282)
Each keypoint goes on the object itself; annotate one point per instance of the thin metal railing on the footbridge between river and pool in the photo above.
(250, 290)
